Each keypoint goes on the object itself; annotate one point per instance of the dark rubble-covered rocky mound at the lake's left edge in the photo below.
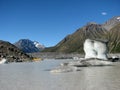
(11, 52)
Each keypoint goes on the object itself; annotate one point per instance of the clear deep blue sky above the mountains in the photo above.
(49, 21)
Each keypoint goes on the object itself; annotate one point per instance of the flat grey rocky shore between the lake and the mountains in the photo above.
(75, 56)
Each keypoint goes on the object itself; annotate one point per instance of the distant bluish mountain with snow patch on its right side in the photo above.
(29, 46)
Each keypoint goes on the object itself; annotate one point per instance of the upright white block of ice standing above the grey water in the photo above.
(95, 49)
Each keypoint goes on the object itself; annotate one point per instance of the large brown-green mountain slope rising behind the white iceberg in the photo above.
(73, 43)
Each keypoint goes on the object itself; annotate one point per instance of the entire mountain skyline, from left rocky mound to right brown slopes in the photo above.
(73, 43)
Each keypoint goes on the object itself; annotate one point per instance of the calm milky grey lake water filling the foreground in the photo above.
(36, 76)
